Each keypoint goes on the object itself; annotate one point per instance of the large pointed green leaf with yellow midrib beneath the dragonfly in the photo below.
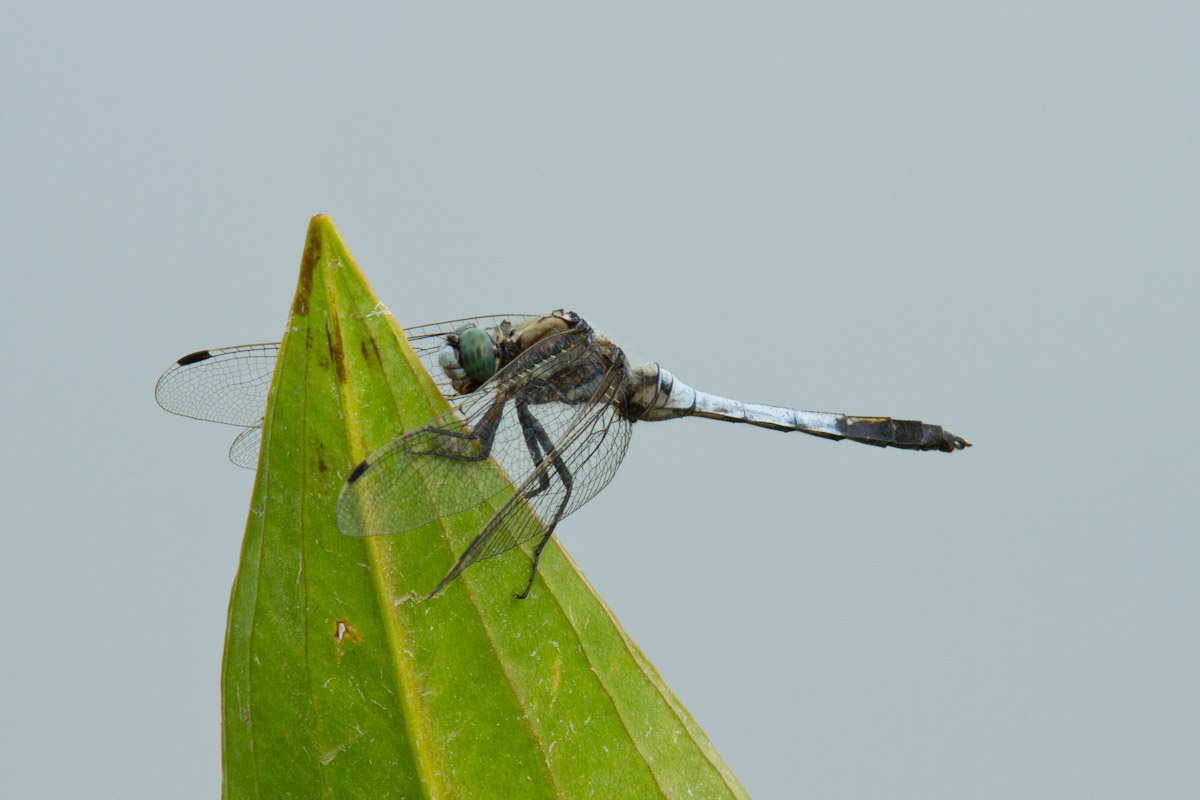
(338, 682)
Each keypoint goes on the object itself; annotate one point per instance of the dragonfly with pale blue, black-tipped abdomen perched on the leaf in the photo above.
(542, 404)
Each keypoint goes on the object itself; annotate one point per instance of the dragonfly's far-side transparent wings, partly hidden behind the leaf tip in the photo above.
(230, 386)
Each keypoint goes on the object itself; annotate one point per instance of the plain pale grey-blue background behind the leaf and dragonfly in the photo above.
(981, 218)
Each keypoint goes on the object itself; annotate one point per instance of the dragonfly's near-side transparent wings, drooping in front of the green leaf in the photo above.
(527, 422)
